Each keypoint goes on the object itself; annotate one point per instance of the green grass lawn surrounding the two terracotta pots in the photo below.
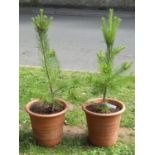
(33, 84)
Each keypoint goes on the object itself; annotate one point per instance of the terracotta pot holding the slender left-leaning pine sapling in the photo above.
(47, 128)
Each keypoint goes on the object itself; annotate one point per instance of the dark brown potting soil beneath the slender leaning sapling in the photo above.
(45, 108)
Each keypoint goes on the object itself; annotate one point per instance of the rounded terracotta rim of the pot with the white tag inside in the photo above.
(98, 100)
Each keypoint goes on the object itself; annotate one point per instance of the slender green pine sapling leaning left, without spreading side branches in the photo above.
(50, 63)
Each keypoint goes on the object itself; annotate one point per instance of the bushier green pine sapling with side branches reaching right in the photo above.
(108, 75)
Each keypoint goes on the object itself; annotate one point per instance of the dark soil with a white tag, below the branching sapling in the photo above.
(97, 107)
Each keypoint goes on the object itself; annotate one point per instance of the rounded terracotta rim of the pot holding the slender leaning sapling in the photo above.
(28, 105)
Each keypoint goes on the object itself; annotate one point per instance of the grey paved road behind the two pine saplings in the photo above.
(76, 36)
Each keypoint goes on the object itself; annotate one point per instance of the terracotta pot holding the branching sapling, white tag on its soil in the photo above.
(103, 128)
